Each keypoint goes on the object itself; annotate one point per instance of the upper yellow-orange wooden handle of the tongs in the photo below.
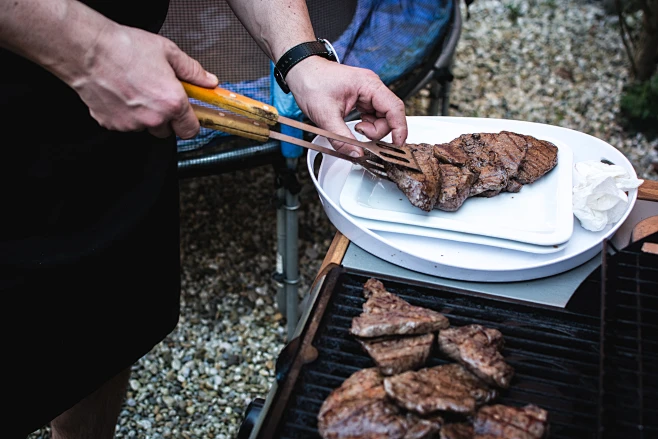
(234, 102)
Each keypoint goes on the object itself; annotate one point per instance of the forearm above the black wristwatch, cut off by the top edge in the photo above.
(276, 25)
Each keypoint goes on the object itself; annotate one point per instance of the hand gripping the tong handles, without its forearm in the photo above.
(131, 82)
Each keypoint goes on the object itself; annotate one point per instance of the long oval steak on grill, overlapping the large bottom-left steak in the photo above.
(449, 387)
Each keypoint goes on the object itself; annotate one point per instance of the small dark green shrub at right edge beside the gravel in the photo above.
(639, 105)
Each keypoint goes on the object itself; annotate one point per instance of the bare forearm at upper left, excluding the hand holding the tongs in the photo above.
(59, 35)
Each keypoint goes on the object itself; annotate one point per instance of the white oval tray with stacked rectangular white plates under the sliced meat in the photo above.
(509, 237)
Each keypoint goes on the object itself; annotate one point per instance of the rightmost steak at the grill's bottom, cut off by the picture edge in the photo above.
(499, 421)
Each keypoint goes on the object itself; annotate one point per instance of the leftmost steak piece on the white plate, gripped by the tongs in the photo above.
(421, 188)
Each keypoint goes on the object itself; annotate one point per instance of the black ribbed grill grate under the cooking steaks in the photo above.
(555, 353)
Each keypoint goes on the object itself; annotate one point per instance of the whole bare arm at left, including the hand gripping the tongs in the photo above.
(129, 78)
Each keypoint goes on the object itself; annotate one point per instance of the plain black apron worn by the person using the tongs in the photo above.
(89, 239)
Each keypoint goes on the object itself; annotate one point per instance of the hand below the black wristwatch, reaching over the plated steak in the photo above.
(327, 92)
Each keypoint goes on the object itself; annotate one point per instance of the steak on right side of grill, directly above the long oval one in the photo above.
(478, 349)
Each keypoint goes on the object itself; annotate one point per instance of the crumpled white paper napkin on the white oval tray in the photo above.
(599, 196)
